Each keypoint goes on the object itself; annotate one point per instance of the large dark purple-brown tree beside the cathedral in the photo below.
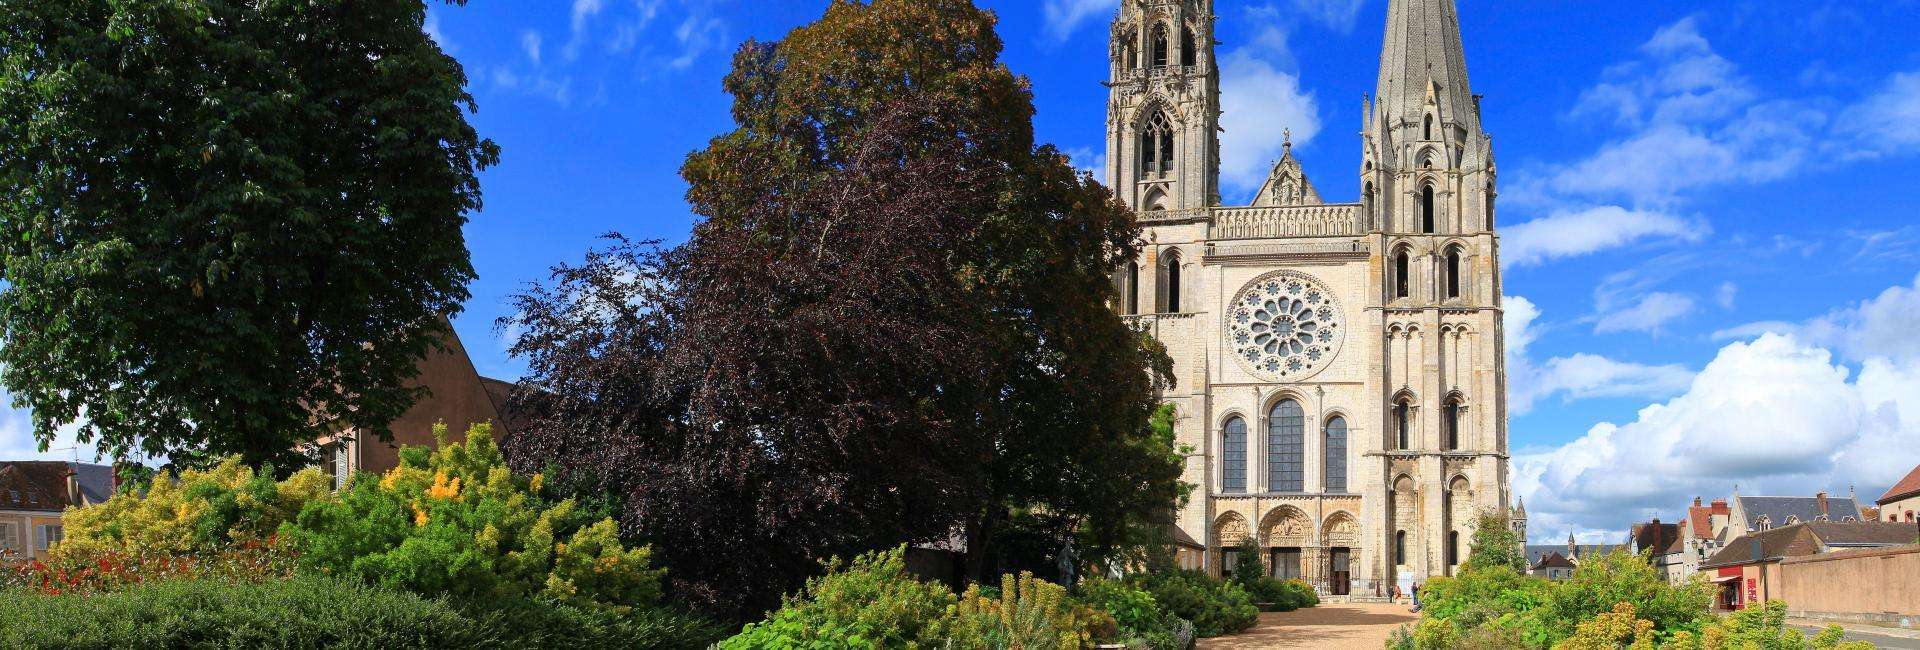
(892, 325)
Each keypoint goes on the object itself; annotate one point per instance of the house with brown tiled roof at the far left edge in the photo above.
(36, 494)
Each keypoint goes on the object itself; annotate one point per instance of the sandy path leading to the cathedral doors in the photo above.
(1362, 626)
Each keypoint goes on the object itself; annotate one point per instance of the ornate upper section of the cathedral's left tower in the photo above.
(1163, 122)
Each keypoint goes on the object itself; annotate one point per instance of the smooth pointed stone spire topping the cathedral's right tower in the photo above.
(1424, 62)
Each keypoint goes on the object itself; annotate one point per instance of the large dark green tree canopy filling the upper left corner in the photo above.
(228, 227)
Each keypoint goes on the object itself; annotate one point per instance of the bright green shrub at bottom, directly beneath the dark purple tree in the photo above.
(867, 603)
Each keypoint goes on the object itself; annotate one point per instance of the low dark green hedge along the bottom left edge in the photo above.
(325, 613)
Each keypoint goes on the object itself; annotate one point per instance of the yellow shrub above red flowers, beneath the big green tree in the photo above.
(199, 513)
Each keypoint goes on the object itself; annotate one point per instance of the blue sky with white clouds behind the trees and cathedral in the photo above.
(1708, 208)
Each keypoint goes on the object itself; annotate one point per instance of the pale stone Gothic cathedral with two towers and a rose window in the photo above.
(1339, 367)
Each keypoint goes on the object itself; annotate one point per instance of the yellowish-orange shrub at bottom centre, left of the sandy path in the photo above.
(1028, 615)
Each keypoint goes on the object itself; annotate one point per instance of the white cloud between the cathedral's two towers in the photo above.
(1262, 101)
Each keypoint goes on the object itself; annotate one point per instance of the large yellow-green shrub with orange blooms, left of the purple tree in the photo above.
(454, 521)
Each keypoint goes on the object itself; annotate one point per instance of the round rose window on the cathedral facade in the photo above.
(1285, 327)
